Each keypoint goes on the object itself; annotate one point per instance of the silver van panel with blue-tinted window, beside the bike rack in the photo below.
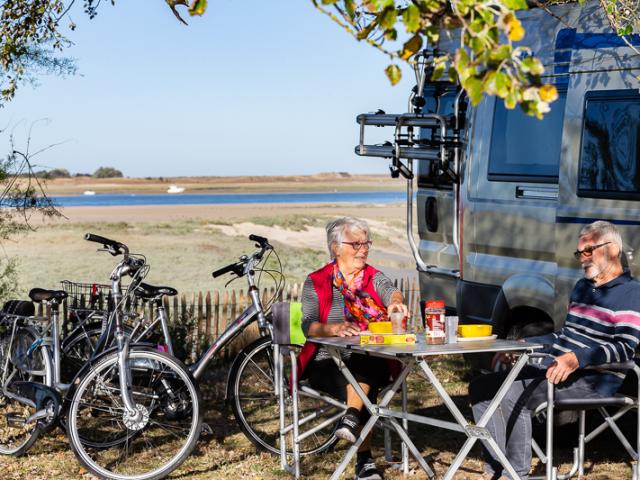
(509, 214)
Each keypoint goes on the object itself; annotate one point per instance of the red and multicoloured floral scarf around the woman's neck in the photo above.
(359, 307)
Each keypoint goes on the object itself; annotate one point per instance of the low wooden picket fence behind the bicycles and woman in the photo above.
(202, 317)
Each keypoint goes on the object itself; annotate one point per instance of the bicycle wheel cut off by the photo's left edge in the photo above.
(16, 436)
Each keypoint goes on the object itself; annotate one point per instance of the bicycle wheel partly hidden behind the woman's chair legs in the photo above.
(251, 392)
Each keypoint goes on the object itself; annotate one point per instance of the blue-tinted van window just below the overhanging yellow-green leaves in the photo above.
(524, 148)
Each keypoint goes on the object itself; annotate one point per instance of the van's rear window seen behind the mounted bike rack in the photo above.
(439, 100)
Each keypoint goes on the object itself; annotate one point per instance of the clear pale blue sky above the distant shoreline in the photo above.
(251, 88)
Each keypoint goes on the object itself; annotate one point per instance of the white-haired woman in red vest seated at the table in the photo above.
(340, 299)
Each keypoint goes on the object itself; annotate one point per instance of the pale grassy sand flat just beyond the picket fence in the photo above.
(182, 253)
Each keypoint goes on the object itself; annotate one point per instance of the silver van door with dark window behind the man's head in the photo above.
(600, 166)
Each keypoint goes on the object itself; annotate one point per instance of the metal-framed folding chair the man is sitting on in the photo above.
(623, 402)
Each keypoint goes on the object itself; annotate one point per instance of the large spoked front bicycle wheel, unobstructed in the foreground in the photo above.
(142, 449)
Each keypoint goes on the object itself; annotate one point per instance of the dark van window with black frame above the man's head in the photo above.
(610, 149)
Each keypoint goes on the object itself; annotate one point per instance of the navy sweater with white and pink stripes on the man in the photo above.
(602, 326)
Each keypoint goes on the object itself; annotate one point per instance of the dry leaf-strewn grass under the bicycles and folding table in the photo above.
(227, 454)
